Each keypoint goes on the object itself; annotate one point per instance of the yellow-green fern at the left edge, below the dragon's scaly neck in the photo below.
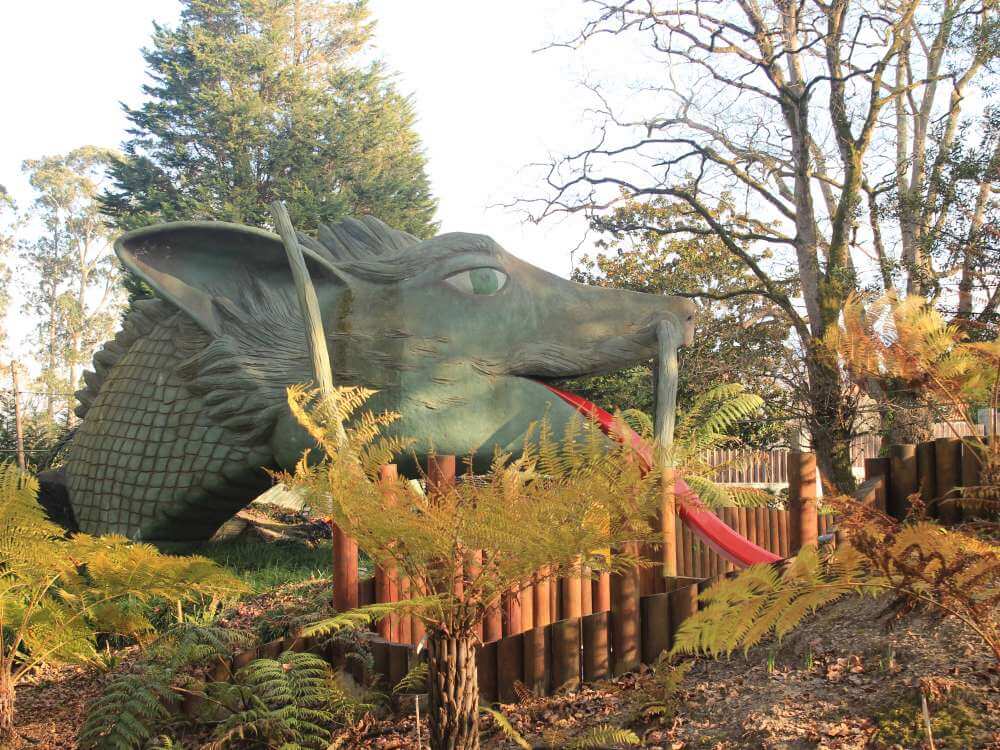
(59, 595)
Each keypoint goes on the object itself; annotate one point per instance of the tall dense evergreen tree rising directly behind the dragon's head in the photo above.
(257, 100)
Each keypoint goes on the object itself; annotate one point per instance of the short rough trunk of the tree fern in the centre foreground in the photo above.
(453, 720)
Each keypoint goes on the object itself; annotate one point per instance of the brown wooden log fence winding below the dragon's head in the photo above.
(557, 633)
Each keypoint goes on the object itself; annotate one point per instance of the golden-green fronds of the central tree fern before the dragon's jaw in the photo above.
(554, 506)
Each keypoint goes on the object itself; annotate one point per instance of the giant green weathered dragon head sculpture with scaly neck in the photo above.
(187, 406)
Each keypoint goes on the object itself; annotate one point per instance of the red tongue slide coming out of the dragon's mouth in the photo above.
(709, 527)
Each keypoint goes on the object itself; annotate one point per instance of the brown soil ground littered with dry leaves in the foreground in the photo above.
(840, 682)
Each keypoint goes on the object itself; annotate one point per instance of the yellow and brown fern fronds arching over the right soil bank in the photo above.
(921, 564)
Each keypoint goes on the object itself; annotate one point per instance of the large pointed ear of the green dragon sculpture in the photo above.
(190, 263)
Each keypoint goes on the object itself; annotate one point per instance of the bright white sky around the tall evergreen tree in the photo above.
(487, 103)
